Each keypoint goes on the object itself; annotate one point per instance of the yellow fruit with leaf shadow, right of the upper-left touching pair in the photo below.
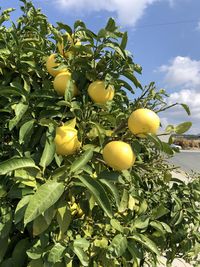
(99, 93)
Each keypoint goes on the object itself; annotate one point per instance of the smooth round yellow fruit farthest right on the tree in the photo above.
(143, 121)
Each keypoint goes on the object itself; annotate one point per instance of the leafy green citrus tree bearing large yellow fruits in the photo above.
(79, 186)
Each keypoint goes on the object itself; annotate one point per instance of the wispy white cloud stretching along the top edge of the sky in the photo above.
(128, 11)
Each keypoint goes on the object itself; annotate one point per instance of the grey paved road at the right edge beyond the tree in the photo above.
(187, 160)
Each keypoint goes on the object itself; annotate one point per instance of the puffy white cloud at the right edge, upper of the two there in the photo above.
(182, 71)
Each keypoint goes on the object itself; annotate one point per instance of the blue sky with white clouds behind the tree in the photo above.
(163, 36)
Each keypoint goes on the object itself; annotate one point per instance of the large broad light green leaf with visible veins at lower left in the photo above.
(46, 195)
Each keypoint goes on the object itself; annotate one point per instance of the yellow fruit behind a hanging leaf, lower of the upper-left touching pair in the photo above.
(60, 83)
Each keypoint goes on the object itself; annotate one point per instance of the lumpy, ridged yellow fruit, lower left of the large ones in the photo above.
(66, 140)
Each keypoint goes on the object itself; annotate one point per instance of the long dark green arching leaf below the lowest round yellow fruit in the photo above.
(98, 192)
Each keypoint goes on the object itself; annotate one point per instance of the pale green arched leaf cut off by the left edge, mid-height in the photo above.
(16, 163)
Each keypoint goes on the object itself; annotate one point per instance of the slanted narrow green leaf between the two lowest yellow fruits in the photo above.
(82, 161)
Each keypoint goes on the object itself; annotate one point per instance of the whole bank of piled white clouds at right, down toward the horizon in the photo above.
(183, 73)
